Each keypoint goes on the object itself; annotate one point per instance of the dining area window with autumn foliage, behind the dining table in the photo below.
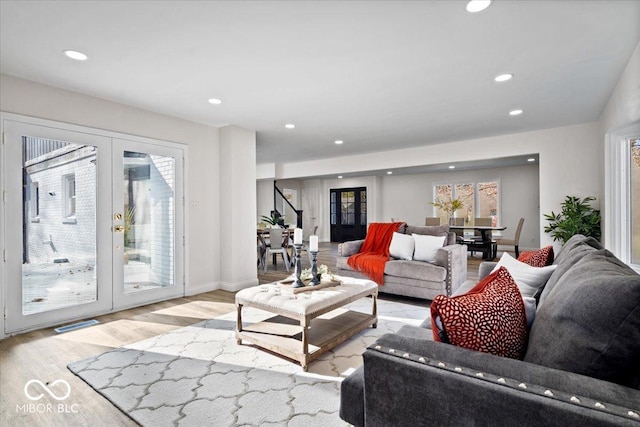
(479, 200)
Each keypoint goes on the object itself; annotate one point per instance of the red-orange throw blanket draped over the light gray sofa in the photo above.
(374, 253)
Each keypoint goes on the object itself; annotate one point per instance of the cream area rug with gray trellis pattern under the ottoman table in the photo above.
(199, 375)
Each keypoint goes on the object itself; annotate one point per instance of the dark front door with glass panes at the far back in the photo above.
(348, 212)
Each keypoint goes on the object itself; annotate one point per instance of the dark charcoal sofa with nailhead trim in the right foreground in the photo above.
(581, 368)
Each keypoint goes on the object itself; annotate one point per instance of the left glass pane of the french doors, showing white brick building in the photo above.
(59, 224)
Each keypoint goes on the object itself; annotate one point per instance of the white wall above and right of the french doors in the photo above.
(203, 249)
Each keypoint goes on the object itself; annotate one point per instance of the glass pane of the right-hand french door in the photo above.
(148, 221)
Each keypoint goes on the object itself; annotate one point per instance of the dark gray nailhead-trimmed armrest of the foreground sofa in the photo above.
(409, 381)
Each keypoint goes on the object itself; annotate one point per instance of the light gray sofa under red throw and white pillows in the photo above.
(416, 278)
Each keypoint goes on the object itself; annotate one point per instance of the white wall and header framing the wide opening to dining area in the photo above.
(570, 162)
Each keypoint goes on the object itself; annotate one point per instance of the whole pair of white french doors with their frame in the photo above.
(92, 224)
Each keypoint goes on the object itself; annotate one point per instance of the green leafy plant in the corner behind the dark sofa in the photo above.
(577, 217)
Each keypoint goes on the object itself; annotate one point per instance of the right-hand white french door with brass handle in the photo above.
(147, 223)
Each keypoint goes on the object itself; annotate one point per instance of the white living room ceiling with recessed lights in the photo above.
(379, 75)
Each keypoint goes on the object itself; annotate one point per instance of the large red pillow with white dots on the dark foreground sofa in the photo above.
(489, 318)
